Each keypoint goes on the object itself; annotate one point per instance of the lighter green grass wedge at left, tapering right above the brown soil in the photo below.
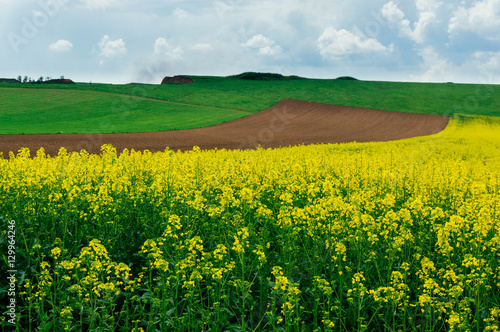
(42, 111)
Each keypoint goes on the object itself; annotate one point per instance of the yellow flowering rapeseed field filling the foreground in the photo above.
(395, 236)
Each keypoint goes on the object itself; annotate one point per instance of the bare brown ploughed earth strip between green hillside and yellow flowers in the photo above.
(290, 122)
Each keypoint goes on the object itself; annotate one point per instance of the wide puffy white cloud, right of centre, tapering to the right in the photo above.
(334, 43)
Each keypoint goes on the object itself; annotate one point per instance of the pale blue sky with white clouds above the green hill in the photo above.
(121, 41)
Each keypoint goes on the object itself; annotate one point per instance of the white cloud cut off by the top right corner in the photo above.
(482, 18)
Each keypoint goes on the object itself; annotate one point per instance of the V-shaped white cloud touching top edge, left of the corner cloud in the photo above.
(426, 16)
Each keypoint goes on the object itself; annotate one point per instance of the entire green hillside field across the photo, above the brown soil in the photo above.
(98, 108)
